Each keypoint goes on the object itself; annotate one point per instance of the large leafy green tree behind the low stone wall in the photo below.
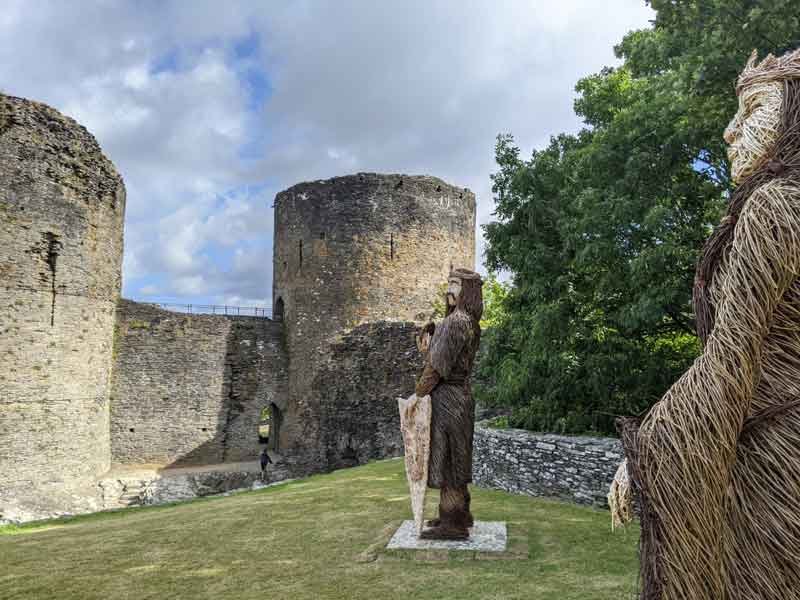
(601, 230)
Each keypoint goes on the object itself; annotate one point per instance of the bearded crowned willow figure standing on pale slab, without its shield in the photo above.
(446, 377)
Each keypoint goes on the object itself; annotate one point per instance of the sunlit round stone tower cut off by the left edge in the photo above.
(62, 205)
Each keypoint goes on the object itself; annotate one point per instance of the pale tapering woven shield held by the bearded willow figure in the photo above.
(415, 424)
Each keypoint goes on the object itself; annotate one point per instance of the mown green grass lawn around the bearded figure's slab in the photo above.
(321, 537)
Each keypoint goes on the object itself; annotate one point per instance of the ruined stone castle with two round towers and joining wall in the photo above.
(93, 385)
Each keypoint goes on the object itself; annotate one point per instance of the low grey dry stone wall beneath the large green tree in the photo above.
(578, 469)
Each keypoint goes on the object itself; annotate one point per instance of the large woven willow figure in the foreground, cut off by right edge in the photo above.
(716, 463)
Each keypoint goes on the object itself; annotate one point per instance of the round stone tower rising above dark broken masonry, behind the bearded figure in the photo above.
(357, 249)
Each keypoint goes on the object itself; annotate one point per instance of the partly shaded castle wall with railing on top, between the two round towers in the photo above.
(188, 389)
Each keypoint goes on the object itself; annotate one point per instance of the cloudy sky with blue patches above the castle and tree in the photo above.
(210, 108)
